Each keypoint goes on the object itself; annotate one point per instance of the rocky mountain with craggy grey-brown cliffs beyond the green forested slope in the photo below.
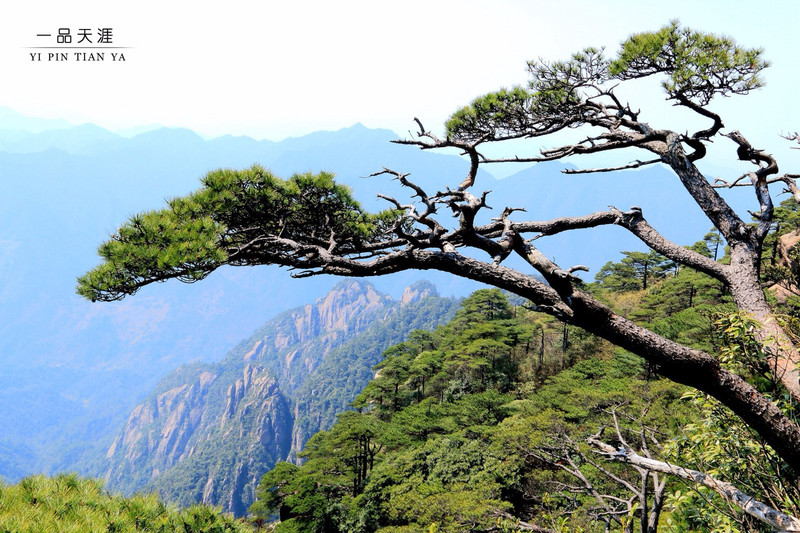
(208, 432)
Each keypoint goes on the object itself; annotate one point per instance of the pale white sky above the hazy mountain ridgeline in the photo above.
(273, 70)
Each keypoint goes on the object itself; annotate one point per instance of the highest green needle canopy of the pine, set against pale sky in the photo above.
(697, 66)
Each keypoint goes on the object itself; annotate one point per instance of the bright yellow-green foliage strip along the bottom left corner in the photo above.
(70, 504)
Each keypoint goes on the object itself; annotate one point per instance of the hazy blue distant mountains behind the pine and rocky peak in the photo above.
(72, 370)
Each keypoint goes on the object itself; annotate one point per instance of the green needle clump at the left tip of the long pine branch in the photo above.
(221, 223)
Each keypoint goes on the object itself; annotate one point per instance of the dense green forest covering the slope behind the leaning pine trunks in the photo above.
(484, 424)
